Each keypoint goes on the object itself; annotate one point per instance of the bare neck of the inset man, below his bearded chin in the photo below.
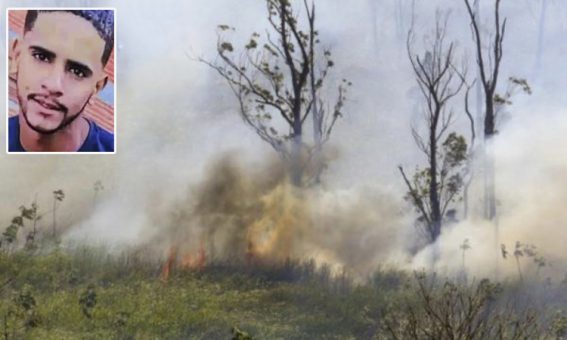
(68, 139)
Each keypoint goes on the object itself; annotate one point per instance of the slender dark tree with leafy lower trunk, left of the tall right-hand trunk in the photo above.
(433, 188)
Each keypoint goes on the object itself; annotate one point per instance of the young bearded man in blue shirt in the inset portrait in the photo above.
(59, 65)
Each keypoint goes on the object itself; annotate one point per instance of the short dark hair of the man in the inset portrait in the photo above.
(102, 20)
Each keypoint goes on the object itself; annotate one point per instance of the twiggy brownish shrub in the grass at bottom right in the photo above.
(448, 310)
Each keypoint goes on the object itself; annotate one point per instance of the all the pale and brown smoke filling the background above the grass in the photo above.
(187, 170)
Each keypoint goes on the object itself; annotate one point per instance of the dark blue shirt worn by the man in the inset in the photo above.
(98, 139)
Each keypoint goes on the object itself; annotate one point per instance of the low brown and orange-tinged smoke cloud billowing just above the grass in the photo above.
(254, 214)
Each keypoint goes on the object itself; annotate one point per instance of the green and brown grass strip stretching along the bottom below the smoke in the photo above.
(88, 291)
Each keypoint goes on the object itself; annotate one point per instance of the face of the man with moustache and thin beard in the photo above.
(59, 68)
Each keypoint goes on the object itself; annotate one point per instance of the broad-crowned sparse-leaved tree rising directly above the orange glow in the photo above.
(277, 80)
